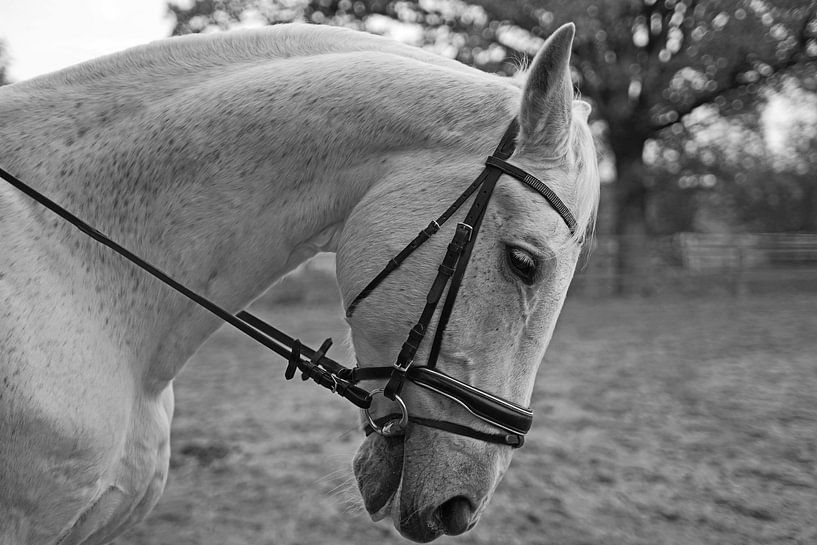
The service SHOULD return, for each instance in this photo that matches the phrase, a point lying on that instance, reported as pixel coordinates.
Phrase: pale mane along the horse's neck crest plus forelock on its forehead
(203, 52)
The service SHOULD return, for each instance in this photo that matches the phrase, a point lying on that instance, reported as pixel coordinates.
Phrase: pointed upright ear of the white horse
(547, 98)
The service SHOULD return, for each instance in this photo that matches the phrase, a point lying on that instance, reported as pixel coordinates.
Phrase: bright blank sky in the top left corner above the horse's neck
(45, 35)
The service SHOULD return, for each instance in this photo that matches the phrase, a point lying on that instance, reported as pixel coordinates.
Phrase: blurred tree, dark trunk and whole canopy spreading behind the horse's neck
(645, 64)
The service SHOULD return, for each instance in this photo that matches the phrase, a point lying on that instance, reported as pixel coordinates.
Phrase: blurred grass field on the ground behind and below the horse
(682, 422)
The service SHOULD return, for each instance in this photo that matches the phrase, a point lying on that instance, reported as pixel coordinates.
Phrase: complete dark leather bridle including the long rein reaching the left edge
(513, 420)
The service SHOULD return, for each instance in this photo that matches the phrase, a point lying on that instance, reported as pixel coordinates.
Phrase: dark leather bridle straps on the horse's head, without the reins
(514, 420)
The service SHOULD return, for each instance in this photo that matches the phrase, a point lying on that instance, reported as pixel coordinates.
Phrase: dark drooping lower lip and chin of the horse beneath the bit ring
(378, 468)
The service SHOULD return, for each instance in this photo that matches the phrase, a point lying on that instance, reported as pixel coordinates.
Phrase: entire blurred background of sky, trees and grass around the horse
(678, 399)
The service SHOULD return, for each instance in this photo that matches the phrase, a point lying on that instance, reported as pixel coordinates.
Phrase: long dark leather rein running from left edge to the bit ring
(313, 364)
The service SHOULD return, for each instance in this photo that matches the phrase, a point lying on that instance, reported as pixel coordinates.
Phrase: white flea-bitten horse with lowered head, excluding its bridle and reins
(227, 160)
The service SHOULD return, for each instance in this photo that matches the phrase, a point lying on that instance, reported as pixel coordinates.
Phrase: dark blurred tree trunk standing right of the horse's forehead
(633, 276)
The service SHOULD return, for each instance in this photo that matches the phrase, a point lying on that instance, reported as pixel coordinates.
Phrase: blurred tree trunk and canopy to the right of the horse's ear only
(647, 65)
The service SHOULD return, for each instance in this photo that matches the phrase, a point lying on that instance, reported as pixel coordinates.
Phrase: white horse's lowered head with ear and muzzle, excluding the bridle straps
(432, 482)
